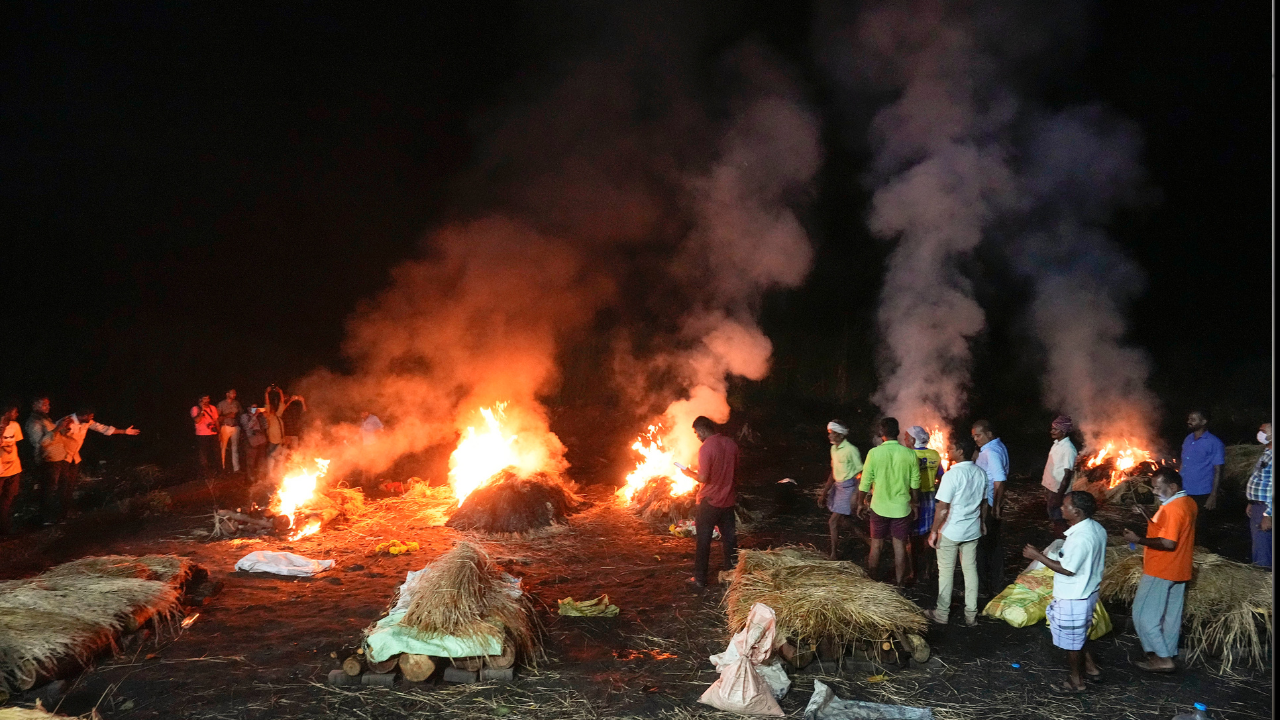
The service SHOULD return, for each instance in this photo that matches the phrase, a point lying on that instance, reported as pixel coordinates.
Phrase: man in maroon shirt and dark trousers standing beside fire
(717, 475)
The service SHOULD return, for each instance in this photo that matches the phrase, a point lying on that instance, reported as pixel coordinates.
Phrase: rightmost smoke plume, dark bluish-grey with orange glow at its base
(1081, 165)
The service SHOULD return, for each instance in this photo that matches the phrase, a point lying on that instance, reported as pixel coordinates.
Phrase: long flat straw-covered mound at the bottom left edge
(76, 610)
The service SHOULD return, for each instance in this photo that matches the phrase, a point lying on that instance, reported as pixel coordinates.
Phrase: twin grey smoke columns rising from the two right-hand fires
(961, 158)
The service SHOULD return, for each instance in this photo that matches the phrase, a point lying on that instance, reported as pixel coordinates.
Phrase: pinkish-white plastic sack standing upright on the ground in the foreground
(742, 689)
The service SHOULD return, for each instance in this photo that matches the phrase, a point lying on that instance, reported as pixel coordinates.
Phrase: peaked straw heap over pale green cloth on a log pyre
(467, 596)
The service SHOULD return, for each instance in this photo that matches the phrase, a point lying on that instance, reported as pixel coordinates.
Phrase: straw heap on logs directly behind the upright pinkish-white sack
(817, 599)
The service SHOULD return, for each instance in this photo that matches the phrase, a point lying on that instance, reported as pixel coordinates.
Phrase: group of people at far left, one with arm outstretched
(56, 458)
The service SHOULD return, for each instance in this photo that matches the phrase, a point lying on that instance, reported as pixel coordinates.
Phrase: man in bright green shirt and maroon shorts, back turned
(892, 476)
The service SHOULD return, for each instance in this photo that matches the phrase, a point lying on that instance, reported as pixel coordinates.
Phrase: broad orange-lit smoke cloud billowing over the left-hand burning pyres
(595, 198)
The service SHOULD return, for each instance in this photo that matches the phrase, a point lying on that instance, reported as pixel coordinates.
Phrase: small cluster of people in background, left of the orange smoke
(266, 431)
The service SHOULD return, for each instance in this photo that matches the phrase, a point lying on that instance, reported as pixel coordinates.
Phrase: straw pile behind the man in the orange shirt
(1227, 609)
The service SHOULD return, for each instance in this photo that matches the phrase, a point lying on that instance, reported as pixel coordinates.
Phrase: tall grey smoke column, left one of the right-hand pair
(941, 177)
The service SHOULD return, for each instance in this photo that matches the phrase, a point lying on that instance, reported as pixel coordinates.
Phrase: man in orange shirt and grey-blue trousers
(1167, 566)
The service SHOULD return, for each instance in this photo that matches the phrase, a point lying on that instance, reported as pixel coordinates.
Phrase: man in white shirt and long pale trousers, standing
(959, 521)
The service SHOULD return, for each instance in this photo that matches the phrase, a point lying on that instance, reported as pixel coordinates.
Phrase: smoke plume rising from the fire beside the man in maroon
(747, 240)
